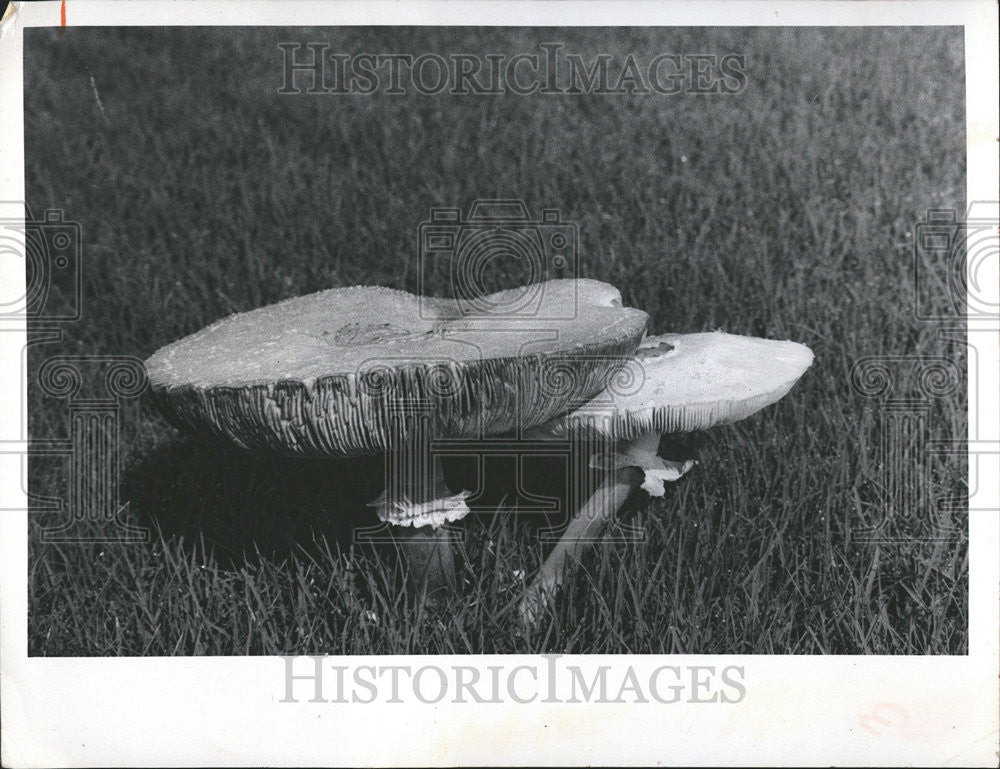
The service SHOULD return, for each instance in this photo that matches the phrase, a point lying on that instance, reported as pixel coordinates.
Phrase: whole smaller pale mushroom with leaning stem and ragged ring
(679, 383)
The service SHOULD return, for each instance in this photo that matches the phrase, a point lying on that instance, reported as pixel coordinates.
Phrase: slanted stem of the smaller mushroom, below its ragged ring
(581, 532)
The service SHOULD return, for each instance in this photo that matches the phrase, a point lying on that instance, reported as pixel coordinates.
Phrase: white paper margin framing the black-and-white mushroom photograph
(225, 711)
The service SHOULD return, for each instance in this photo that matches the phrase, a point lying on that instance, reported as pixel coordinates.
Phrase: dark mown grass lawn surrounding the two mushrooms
(785, 211)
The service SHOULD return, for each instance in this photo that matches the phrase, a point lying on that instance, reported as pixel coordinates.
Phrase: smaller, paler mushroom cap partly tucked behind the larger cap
(678, 383)
